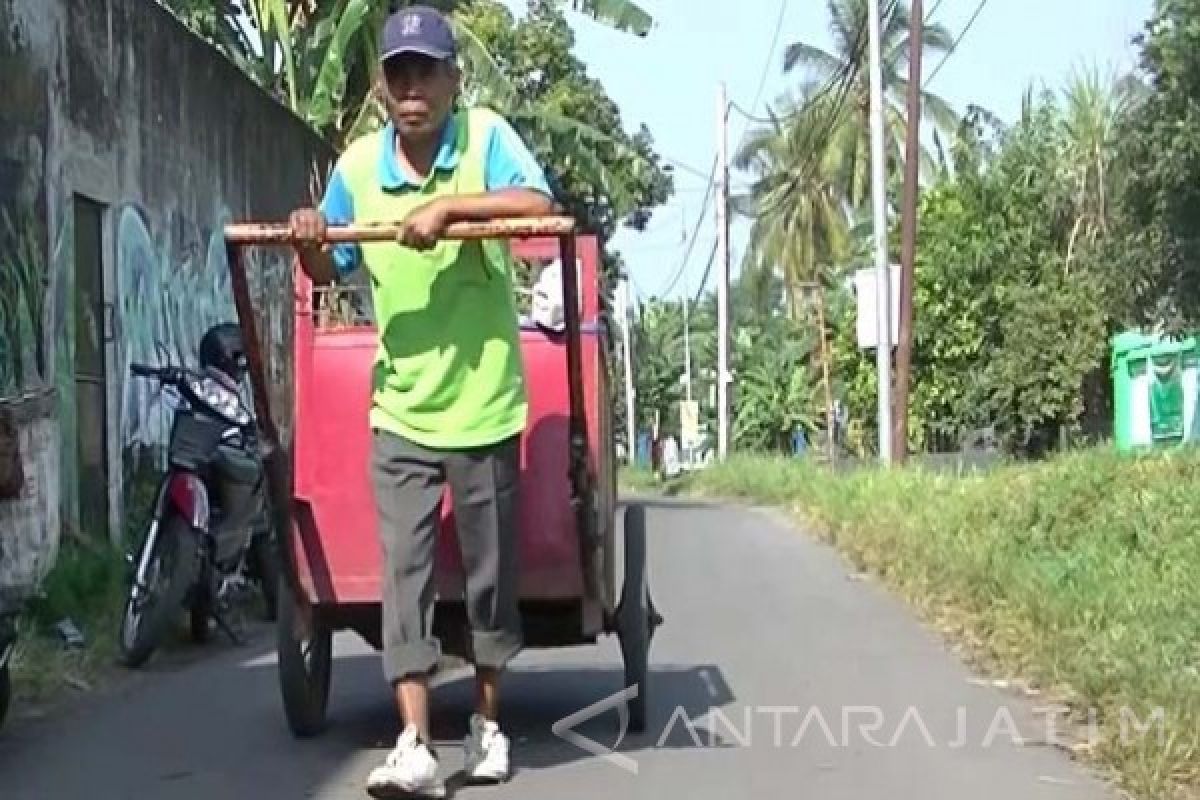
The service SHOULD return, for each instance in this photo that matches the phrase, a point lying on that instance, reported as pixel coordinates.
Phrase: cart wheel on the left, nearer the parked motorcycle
(305, 666)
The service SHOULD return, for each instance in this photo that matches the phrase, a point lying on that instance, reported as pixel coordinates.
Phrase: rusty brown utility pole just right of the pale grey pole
(909, 234)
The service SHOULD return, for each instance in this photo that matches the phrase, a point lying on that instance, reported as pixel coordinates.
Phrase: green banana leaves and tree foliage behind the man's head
(319, 58)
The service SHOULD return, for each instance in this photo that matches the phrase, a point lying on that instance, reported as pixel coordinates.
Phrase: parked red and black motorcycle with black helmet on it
(211, 532)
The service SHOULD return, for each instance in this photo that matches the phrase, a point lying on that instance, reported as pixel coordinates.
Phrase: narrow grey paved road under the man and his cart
(764, 631)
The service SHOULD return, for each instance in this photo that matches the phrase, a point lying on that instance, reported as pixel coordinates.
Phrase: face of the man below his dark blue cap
(419, 93)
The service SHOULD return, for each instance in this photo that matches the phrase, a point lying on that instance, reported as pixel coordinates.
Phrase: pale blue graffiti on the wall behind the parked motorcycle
(169, 298)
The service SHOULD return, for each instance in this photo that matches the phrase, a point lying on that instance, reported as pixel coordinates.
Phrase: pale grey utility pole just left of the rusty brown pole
(880, 204)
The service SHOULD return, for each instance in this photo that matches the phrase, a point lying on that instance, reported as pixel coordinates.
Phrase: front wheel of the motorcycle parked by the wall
(171, 573)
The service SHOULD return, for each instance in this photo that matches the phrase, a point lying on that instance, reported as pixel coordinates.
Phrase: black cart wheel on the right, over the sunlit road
(637, 617)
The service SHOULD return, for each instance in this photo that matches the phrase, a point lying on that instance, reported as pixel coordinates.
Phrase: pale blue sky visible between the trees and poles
(669, 82)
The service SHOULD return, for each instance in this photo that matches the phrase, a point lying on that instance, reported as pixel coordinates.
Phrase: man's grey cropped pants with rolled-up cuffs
(410, 482)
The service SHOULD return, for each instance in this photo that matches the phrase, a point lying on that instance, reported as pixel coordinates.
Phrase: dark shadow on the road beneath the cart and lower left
(218, 729)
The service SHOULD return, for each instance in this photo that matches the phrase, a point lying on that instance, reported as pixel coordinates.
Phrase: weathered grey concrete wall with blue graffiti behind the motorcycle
(115, 101)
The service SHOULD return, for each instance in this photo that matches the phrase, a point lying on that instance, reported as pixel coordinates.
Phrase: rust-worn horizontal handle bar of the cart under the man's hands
(253, 233)
